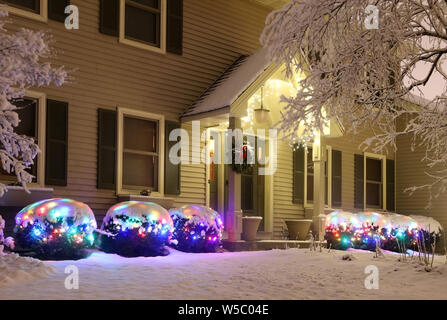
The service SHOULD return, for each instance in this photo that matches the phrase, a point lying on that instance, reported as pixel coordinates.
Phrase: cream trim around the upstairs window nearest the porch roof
(163, 25)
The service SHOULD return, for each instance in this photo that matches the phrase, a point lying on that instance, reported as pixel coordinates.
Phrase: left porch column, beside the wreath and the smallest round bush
(234, 214)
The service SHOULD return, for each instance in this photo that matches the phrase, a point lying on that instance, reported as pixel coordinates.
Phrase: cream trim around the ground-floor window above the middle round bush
(120, 143)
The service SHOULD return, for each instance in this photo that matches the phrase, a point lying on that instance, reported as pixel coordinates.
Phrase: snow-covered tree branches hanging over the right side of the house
(363, 76)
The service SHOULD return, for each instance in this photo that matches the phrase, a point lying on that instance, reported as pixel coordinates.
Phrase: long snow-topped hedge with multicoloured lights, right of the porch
(369, 230)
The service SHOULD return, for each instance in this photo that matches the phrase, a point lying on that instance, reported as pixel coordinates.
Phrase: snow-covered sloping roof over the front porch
(231, 84)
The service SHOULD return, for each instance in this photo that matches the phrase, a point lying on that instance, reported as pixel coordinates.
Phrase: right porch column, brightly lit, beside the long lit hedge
(319, 159)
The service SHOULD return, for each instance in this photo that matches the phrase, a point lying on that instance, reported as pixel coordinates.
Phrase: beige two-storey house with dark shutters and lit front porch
(144, 68)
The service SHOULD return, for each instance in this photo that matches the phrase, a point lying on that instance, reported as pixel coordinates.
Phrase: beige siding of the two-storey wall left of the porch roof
(109, 74)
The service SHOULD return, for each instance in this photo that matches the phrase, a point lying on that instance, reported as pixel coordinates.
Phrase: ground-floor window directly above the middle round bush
(140, 147)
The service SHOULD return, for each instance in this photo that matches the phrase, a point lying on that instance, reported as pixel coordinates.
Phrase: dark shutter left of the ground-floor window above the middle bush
(106, 169)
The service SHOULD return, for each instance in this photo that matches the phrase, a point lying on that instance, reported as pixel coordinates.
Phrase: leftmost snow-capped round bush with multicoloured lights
(55, 229)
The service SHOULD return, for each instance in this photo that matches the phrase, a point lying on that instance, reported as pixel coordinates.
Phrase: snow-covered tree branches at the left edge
(20, 69)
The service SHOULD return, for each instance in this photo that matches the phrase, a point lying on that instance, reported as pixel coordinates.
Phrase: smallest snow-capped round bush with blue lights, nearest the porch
(196, 228)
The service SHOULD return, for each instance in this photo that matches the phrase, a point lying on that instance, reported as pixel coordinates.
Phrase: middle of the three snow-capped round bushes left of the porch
(136, 228)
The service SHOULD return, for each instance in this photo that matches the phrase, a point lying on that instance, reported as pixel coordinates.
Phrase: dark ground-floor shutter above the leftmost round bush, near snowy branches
(56, 143)
